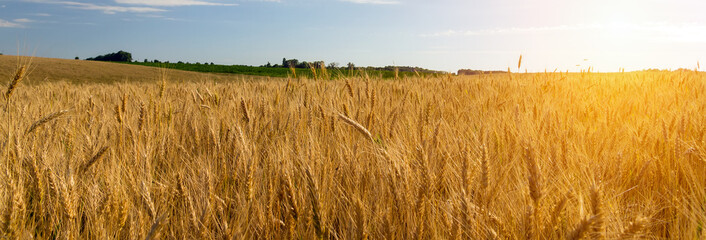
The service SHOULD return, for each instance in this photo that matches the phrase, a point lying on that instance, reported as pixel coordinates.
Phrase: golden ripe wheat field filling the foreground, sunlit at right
(506, 156)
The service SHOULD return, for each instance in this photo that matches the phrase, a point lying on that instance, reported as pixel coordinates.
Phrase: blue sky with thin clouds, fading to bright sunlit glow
(442, 35)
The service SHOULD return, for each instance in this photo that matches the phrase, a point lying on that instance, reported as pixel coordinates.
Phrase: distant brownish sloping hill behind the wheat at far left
(80, 71)
